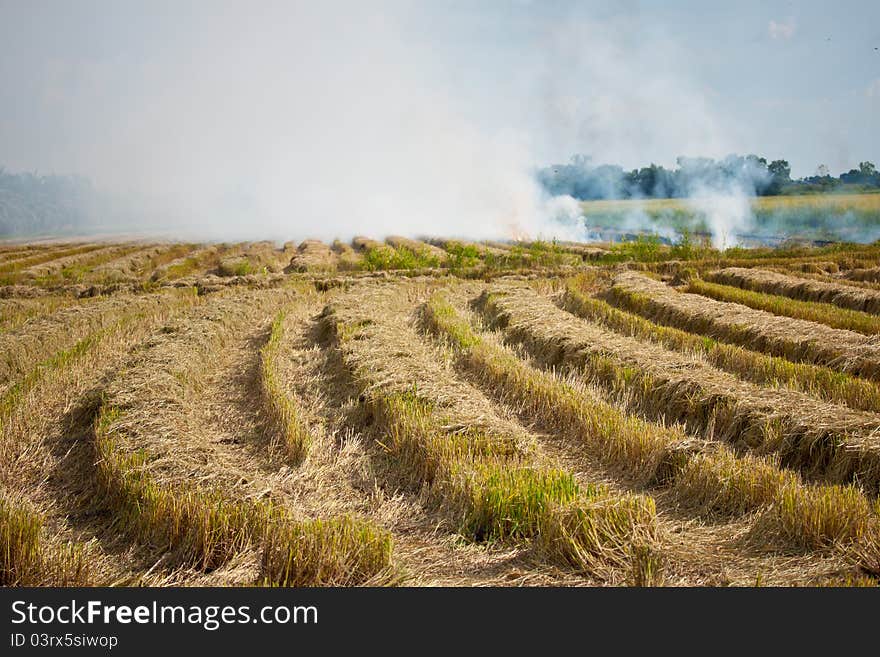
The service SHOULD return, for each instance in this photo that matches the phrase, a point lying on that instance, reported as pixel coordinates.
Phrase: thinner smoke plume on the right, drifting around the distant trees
(629, 97)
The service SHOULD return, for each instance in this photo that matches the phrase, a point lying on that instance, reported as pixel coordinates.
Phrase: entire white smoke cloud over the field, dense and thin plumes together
(294, 119)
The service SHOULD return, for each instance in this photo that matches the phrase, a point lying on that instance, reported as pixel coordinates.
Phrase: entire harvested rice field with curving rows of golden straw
(437, 412)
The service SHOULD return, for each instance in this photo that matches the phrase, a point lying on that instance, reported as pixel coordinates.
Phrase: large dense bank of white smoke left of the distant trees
(295, 120)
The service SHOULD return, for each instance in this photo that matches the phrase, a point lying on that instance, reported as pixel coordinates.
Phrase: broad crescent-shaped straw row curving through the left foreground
(186, 468)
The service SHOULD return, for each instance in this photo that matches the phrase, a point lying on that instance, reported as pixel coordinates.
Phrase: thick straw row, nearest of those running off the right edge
(819, 439)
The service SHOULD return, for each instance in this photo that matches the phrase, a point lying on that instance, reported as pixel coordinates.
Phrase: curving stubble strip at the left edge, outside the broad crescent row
(40, 444)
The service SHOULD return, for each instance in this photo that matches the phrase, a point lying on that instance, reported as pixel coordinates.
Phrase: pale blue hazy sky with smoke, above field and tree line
(291, 107)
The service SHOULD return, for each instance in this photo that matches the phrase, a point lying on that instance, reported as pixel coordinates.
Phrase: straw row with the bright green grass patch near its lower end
(480, 468)
